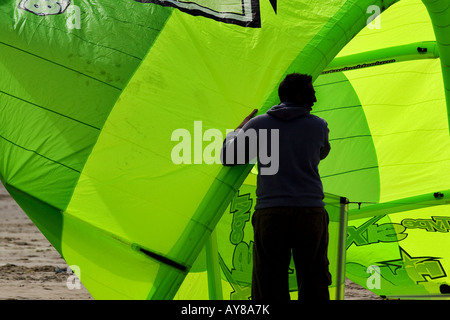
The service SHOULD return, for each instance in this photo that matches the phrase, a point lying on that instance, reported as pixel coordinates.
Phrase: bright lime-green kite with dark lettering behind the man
(95, 96)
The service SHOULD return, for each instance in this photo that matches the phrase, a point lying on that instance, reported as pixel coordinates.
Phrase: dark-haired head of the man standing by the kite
(297, 88)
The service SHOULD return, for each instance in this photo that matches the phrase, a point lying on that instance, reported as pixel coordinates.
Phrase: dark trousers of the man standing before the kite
(280, 231)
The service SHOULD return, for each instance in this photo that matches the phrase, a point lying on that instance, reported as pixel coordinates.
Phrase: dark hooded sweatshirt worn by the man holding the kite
(295, 152)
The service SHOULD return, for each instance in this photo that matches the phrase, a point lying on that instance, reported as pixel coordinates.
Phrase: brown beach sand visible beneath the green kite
(30, 268)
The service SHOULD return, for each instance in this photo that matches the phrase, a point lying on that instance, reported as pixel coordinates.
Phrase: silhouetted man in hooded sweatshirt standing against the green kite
(289, 213)
